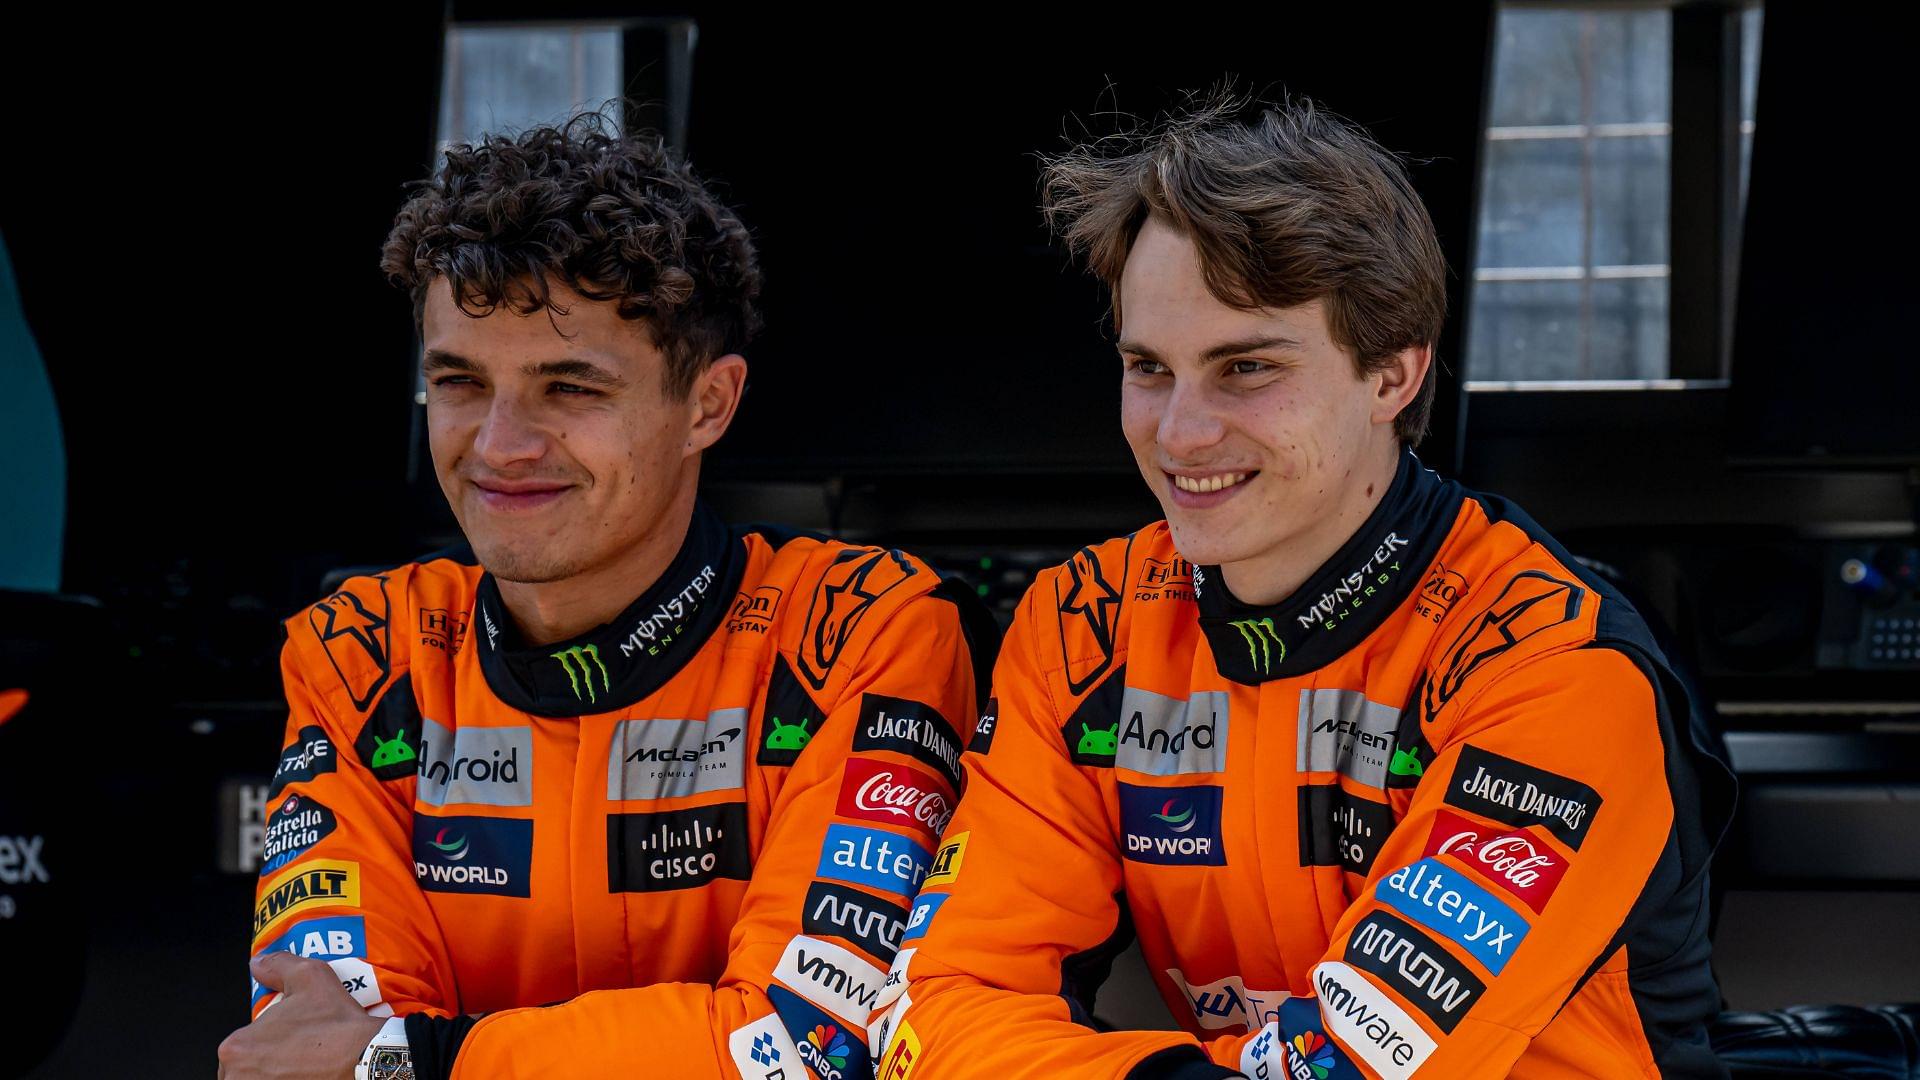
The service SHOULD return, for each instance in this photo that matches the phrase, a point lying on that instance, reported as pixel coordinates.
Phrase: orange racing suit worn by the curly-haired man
(692, 833)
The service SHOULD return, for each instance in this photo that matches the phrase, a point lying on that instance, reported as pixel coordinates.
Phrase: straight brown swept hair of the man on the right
(1285, 205)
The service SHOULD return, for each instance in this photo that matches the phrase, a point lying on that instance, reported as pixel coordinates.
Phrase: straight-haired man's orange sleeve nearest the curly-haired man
(988, 981)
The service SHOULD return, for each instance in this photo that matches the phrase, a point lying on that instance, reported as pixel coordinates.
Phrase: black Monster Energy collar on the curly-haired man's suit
(629, 658)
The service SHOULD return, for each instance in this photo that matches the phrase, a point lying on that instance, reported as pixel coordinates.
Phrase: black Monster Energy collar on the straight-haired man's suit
(1345, 601)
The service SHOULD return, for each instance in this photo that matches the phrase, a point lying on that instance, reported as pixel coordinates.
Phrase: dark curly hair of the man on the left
(613, 218)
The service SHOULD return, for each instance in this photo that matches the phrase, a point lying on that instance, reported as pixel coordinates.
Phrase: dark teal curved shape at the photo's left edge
(34, 458)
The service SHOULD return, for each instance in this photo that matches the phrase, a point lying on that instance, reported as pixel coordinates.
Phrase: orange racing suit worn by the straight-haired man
(1439, 812)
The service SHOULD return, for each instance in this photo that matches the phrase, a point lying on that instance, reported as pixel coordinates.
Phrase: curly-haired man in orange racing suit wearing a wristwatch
(617, 787)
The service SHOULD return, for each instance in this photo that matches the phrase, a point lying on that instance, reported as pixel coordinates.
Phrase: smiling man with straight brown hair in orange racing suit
(1381, 777)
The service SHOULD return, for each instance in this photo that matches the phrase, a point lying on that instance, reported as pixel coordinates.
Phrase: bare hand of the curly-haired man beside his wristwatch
(314, 1033)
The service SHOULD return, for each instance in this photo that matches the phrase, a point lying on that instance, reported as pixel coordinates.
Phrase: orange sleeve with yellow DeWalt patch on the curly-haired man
(337, 877)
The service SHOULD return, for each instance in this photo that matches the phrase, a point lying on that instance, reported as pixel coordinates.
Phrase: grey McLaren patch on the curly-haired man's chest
(663, 760)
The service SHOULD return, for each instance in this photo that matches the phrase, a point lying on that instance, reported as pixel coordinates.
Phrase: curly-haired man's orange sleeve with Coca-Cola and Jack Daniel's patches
(794, 996)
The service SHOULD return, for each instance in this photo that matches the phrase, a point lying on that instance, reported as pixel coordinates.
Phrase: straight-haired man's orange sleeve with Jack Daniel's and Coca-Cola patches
(1527, 847)
